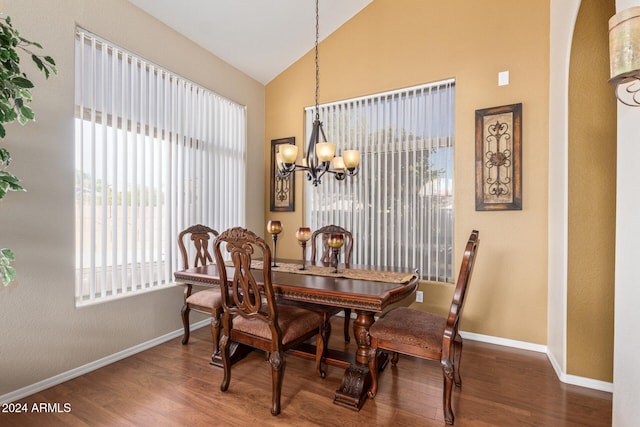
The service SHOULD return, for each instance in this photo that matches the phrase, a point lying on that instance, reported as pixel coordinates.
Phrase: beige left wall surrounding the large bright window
(42, 332)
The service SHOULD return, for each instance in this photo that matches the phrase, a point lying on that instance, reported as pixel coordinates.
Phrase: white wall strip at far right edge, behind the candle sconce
(626, 370)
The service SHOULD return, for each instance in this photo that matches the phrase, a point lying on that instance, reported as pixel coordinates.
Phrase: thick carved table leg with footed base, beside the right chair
(357, 379)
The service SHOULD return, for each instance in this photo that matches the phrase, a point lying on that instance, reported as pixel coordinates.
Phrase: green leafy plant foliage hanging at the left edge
(15, 96)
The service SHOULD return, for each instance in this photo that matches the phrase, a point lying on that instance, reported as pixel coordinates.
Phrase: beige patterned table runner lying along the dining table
(347, 273)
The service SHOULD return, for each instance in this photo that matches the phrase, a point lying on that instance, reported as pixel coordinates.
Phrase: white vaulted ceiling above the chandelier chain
(259, 37)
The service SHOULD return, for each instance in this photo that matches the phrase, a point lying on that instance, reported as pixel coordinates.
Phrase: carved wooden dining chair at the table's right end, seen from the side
(426, 335)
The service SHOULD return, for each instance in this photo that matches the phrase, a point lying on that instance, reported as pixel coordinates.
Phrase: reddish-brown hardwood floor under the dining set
(174, 385)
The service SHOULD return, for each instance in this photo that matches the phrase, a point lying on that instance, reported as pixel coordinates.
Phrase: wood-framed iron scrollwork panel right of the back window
(499, 158)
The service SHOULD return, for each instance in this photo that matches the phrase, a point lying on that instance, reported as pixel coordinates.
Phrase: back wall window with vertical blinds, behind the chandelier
(400, 206)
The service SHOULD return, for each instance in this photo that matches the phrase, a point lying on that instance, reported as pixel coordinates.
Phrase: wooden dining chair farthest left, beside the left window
(208, 300)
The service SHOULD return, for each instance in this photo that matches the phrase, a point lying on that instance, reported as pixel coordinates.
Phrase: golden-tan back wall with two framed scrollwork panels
(398, 43)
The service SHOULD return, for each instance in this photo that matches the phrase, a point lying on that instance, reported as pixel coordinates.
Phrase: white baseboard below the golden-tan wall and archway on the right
(562, 376)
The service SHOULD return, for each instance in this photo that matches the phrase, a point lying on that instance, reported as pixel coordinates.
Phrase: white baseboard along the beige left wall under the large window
(92, 366)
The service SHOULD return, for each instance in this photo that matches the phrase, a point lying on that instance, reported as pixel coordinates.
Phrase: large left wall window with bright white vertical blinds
(155, 153)
